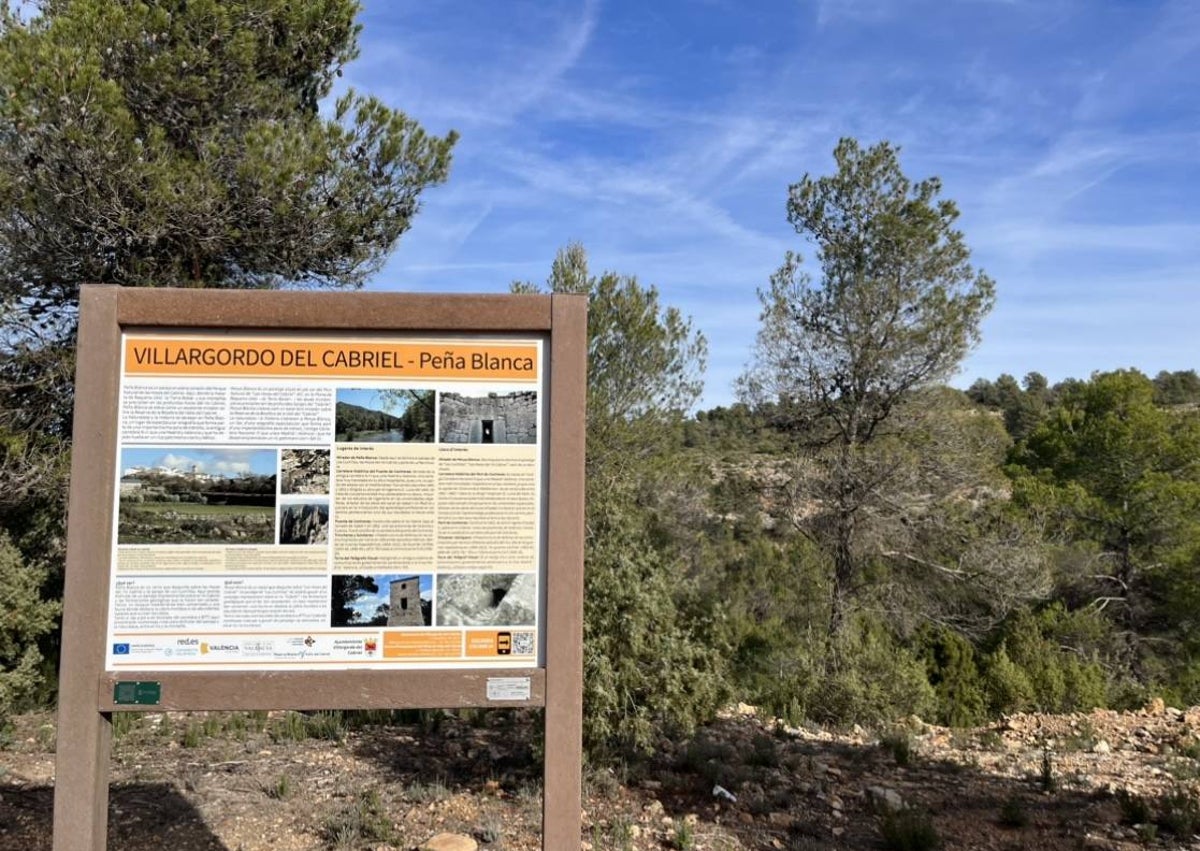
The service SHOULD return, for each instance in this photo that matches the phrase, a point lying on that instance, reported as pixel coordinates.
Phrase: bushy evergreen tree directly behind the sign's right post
(647, 669)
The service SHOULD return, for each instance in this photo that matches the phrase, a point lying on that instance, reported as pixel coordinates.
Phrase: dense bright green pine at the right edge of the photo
(1111, 469)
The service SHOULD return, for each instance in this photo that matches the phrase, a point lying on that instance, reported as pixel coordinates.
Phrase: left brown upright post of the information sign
(85, 734)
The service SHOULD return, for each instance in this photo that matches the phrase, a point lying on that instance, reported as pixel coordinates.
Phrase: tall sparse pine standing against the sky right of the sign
(896, 309)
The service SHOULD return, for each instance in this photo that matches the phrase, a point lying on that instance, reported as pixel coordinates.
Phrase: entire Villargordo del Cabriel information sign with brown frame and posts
(321, 501)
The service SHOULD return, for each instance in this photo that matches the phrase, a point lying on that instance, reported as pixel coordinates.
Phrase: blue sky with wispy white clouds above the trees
(664, 137)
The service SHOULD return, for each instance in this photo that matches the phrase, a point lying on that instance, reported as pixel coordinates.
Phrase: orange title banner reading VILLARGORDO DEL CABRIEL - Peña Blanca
(331, 359)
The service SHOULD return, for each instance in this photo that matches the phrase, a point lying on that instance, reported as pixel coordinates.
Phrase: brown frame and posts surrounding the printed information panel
(87, 688)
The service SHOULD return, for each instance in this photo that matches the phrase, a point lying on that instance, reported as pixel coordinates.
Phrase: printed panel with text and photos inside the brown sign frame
(301, 504)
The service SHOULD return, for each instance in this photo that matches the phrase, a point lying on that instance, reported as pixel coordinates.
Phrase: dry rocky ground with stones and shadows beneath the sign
(249, 782)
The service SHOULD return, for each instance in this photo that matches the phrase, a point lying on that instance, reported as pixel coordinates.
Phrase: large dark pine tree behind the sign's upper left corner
(175, 143)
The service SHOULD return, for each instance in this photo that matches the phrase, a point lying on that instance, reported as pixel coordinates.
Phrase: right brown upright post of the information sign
(562, 794)
